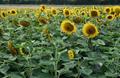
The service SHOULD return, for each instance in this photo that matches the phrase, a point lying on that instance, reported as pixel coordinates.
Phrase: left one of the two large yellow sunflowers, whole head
(68, 27)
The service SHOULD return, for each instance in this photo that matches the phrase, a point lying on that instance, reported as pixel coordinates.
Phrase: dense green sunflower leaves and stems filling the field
(45, 54)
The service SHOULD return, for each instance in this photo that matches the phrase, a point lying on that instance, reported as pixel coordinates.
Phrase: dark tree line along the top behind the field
(59, 2)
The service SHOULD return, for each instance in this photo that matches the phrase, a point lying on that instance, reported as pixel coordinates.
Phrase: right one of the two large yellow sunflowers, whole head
(90, 30)
